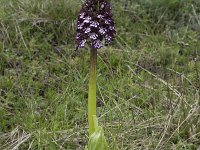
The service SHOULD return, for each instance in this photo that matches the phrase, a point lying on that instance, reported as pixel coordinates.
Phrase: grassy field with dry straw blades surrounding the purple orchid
(148, 79)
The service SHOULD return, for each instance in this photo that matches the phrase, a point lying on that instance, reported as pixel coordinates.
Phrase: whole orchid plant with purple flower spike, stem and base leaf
(95, 27)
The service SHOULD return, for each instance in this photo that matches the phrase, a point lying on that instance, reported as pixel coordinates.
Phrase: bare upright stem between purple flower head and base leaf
(92, 91)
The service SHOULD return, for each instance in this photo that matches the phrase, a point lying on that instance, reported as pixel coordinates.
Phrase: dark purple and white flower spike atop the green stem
(95, 24)
